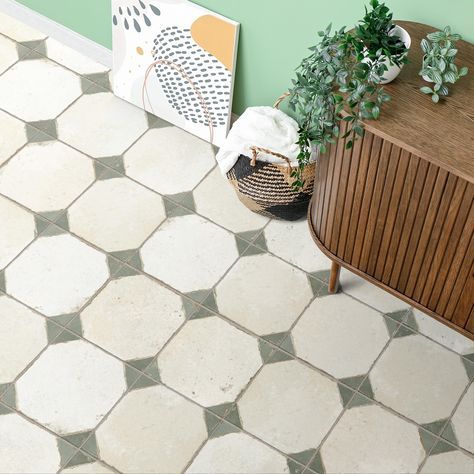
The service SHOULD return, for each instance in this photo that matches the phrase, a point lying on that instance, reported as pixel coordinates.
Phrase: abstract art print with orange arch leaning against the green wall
(176, 60)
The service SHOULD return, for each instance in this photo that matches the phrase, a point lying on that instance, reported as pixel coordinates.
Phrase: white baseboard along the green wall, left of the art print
(57, 31)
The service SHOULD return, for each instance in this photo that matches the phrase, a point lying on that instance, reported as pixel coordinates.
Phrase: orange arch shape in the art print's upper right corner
(217, 37)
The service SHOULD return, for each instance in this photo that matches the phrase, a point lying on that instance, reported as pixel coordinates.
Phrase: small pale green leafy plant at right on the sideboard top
(439, 62)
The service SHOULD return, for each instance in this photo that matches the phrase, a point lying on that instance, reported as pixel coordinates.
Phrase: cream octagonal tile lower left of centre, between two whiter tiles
(132, 317)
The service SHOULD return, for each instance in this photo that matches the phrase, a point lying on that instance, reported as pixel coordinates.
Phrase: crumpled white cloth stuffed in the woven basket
(265, 127)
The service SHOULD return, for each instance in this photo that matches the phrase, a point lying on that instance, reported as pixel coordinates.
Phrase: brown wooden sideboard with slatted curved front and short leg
(398, 208)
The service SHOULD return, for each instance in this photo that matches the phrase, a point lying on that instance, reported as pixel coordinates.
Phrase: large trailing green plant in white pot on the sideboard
(341, 81)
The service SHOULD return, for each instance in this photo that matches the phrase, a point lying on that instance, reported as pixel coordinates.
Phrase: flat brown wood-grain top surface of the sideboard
(441, 133)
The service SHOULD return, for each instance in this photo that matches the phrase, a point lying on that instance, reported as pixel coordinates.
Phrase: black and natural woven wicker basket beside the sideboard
(266, 188)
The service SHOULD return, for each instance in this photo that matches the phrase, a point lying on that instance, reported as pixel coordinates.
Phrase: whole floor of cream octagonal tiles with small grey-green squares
(151, 324)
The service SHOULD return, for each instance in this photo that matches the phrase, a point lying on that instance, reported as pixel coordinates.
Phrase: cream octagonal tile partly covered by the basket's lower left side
(216, 199)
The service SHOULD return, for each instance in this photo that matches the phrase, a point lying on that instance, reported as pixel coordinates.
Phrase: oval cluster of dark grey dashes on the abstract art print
(209, 75)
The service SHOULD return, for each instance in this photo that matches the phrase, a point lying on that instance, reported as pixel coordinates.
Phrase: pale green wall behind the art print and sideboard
(275, 34)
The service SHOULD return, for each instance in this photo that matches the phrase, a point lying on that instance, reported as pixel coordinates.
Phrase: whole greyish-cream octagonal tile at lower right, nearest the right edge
(419, 378)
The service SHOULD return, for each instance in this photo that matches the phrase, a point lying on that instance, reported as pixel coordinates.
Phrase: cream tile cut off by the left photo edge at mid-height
(16, 232)
